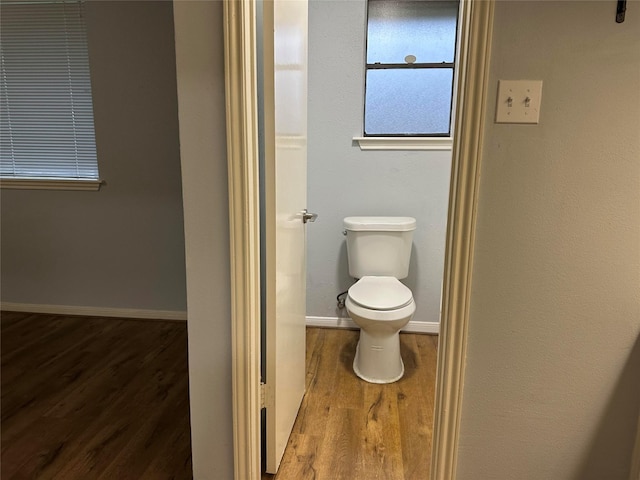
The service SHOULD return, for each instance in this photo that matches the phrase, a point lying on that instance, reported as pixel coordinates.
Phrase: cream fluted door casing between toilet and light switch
(477, 28)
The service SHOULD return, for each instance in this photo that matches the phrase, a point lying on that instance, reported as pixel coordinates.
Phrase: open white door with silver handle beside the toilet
(285, 144)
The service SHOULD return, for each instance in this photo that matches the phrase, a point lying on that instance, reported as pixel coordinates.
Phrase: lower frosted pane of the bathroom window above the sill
(408, 101)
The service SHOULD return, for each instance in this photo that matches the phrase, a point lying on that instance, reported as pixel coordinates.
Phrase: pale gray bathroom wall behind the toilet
(344, 181)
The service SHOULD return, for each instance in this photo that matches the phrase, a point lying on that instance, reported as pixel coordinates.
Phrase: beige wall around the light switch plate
(552, 383)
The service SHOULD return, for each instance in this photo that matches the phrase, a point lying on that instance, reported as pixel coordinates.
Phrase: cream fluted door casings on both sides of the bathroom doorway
(242, 158)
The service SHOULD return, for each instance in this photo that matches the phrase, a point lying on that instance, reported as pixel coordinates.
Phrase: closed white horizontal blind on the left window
(46, 119)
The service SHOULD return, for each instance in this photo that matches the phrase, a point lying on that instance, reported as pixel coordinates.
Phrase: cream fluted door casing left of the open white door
(239, 19)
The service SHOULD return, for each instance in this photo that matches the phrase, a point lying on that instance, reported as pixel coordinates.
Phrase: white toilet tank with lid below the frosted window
(379, 246)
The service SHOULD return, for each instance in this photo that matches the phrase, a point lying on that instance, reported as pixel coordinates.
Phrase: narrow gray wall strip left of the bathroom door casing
(200, 73)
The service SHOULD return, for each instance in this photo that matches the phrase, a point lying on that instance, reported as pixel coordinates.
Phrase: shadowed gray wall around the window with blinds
(121, 247)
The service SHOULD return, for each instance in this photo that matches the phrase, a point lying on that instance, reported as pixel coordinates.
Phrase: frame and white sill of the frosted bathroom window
(410, 141)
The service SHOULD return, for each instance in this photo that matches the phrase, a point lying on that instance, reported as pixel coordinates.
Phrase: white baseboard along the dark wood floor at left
(95, 311)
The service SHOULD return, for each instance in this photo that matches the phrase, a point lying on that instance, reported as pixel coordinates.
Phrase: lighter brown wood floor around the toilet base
(353, 430)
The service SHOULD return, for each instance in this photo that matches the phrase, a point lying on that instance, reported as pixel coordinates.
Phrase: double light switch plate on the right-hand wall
(519, 101)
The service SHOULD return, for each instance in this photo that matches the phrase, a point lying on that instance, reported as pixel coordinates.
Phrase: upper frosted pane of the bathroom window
(425, 29)
